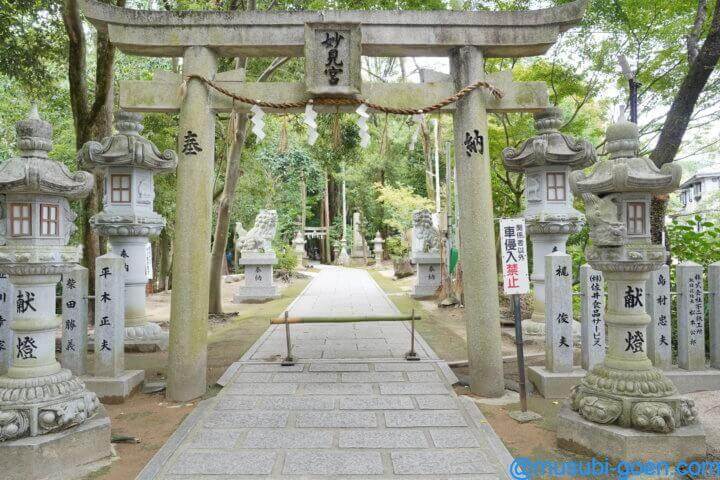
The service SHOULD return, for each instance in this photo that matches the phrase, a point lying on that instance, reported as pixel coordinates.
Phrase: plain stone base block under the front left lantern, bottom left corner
(71, 453)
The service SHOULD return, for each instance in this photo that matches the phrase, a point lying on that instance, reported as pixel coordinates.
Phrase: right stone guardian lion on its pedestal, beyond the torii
(427, 257)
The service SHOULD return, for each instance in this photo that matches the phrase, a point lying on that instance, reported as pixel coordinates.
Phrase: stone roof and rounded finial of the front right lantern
(623, 170)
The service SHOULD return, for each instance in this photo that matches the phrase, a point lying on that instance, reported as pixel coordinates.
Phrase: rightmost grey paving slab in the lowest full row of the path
(443, 462)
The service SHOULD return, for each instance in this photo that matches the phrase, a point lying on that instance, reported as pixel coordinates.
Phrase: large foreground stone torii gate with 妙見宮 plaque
(201, 37)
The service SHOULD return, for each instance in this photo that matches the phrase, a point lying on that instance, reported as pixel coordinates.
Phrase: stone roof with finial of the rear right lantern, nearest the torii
(549, 146)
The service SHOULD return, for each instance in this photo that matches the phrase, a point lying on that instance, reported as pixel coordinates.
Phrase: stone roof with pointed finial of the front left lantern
(33, 172)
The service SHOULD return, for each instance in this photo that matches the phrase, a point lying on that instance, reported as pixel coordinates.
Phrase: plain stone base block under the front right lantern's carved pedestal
(579, 435)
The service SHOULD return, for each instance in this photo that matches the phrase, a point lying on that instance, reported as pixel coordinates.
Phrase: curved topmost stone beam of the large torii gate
(384, 33)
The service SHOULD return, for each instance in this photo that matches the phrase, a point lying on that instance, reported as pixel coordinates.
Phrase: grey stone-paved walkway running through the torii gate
(350, 407)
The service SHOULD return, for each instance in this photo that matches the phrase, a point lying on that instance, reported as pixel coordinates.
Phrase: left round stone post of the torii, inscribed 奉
(187, 354)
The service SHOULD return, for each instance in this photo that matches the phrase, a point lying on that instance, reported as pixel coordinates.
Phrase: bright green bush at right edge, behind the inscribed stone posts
(687, 243)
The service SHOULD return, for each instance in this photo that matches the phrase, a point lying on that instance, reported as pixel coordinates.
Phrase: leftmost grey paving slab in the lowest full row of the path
(224, 463)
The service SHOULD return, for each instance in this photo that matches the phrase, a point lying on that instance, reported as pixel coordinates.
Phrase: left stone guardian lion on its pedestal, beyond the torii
(258, 258)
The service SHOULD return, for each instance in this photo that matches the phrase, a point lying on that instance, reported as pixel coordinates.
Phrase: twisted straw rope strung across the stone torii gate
(349, 101)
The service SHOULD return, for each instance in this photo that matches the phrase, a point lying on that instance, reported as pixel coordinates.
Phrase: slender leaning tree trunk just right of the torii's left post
(232, 175)
